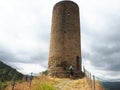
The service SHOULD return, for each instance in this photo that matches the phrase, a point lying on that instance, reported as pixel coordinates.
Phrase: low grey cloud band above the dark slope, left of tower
(38, 57)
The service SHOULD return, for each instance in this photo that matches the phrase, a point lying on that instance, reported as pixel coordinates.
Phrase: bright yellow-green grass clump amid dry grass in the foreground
(45, 86)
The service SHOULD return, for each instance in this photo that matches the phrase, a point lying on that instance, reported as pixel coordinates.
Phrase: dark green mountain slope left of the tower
(7, 73)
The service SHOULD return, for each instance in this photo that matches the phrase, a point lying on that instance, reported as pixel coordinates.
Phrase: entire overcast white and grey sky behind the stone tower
(25, 27)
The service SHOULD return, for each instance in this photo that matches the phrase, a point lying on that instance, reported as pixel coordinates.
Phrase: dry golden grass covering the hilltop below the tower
(55, 84)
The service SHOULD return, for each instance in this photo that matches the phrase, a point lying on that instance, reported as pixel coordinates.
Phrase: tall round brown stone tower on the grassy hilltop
(65, 44)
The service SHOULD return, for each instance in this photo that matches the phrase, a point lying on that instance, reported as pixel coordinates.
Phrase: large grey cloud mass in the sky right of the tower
(105, 47)
